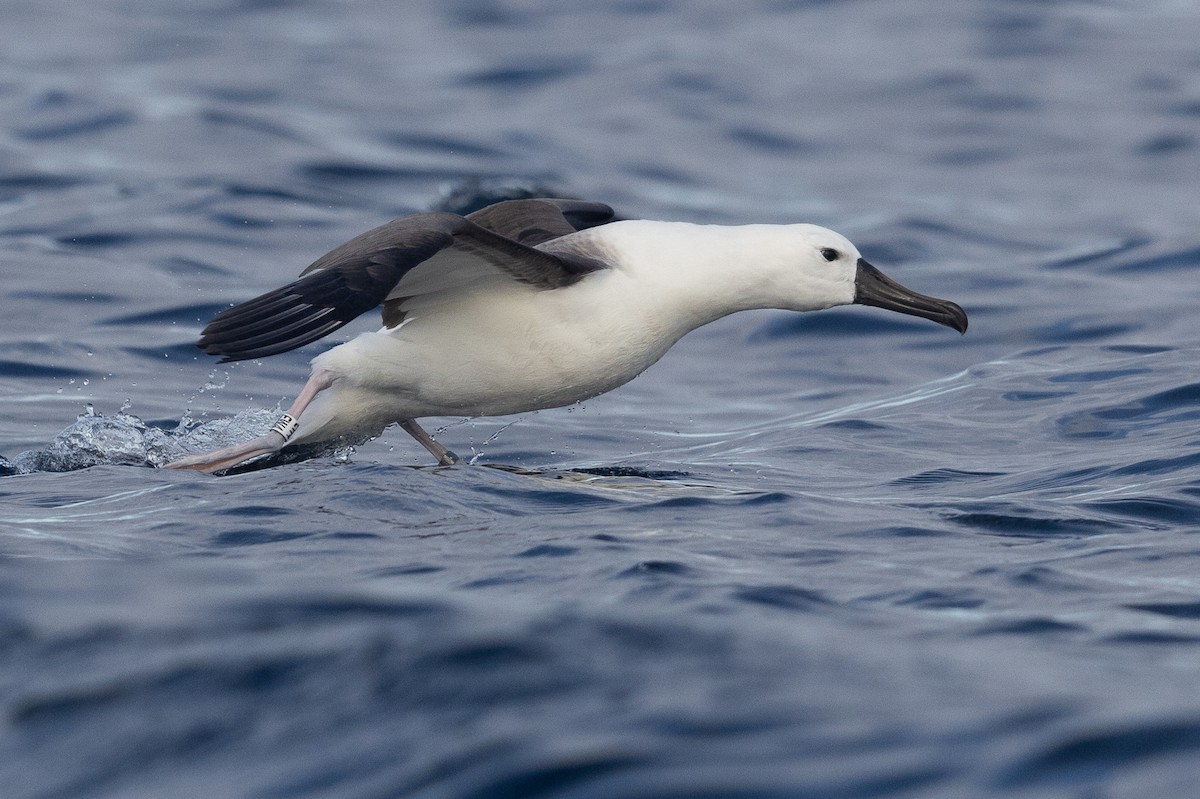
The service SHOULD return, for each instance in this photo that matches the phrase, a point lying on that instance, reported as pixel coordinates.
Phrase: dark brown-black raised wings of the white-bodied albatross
(371, 268)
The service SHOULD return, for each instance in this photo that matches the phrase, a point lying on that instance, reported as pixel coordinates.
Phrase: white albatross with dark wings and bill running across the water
(520, 307)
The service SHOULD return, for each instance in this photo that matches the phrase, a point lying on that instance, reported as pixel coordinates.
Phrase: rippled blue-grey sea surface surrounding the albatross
(841, 555)
